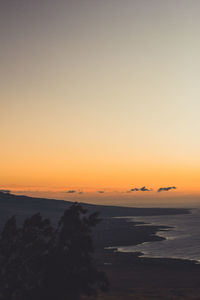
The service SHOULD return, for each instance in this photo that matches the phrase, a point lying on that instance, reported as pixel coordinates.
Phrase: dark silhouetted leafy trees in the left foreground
(39, 261)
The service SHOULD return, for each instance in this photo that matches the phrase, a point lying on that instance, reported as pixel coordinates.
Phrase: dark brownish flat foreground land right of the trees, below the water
(139, 278)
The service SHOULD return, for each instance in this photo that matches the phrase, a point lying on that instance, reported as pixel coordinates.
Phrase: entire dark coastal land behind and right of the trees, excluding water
(131, 276)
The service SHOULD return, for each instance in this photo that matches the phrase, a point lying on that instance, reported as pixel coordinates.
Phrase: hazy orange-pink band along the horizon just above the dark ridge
(119, 198)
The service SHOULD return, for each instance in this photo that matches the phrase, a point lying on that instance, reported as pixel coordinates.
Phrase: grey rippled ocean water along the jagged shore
(182, 241)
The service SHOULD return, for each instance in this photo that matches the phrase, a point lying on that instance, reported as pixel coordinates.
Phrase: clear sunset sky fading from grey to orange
(100, 96)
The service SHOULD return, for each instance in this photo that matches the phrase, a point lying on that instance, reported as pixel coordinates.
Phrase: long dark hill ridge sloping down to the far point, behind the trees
(23, 206)
